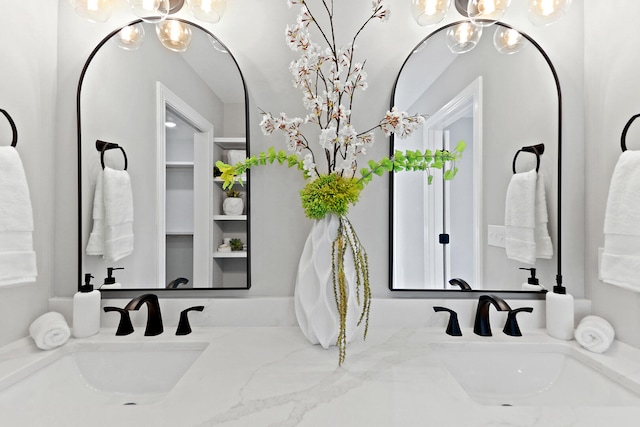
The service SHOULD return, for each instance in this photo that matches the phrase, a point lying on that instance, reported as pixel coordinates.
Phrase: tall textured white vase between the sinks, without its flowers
(315, 302)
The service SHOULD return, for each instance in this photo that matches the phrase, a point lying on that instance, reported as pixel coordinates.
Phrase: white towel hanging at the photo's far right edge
(620, 262)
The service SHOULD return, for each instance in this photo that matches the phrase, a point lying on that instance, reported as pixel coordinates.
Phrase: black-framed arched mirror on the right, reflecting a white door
(499, 100)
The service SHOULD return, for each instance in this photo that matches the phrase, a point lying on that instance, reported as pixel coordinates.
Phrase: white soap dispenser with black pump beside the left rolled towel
(86, 310)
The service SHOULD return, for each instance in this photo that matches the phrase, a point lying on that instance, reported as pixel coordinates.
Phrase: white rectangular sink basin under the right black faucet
(528, 374)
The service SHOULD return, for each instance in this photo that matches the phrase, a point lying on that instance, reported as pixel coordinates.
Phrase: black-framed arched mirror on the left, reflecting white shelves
(162, 224)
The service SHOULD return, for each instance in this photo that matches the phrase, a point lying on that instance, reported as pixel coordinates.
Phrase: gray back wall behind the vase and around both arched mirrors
(275, 189)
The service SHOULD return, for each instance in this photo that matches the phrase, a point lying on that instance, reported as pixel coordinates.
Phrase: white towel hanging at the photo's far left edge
(17, 257)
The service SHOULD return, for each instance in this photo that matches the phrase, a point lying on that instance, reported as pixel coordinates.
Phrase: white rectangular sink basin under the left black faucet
(111, 373)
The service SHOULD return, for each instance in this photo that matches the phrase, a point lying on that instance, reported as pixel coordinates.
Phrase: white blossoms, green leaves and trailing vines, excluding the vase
(329, 77)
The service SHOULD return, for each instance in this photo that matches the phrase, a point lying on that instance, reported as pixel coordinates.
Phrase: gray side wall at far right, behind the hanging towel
(611, 98)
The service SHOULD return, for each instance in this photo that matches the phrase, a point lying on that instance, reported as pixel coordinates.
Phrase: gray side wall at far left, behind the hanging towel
(28, 93)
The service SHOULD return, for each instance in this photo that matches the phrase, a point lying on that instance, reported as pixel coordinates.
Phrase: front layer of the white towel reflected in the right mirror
(519, 218)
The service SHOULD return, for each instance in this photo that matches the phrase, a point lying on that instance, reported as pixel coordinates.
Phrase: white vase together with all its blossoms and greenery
(332, 293)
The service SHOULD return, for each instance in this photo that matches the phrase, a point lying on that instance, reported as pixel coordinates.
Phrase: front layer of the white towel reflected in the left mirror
(118, 214)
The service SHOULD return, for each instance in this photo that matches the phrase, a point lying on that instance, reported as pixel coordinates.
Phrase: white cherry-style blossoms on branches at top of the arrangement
(329, 76)
